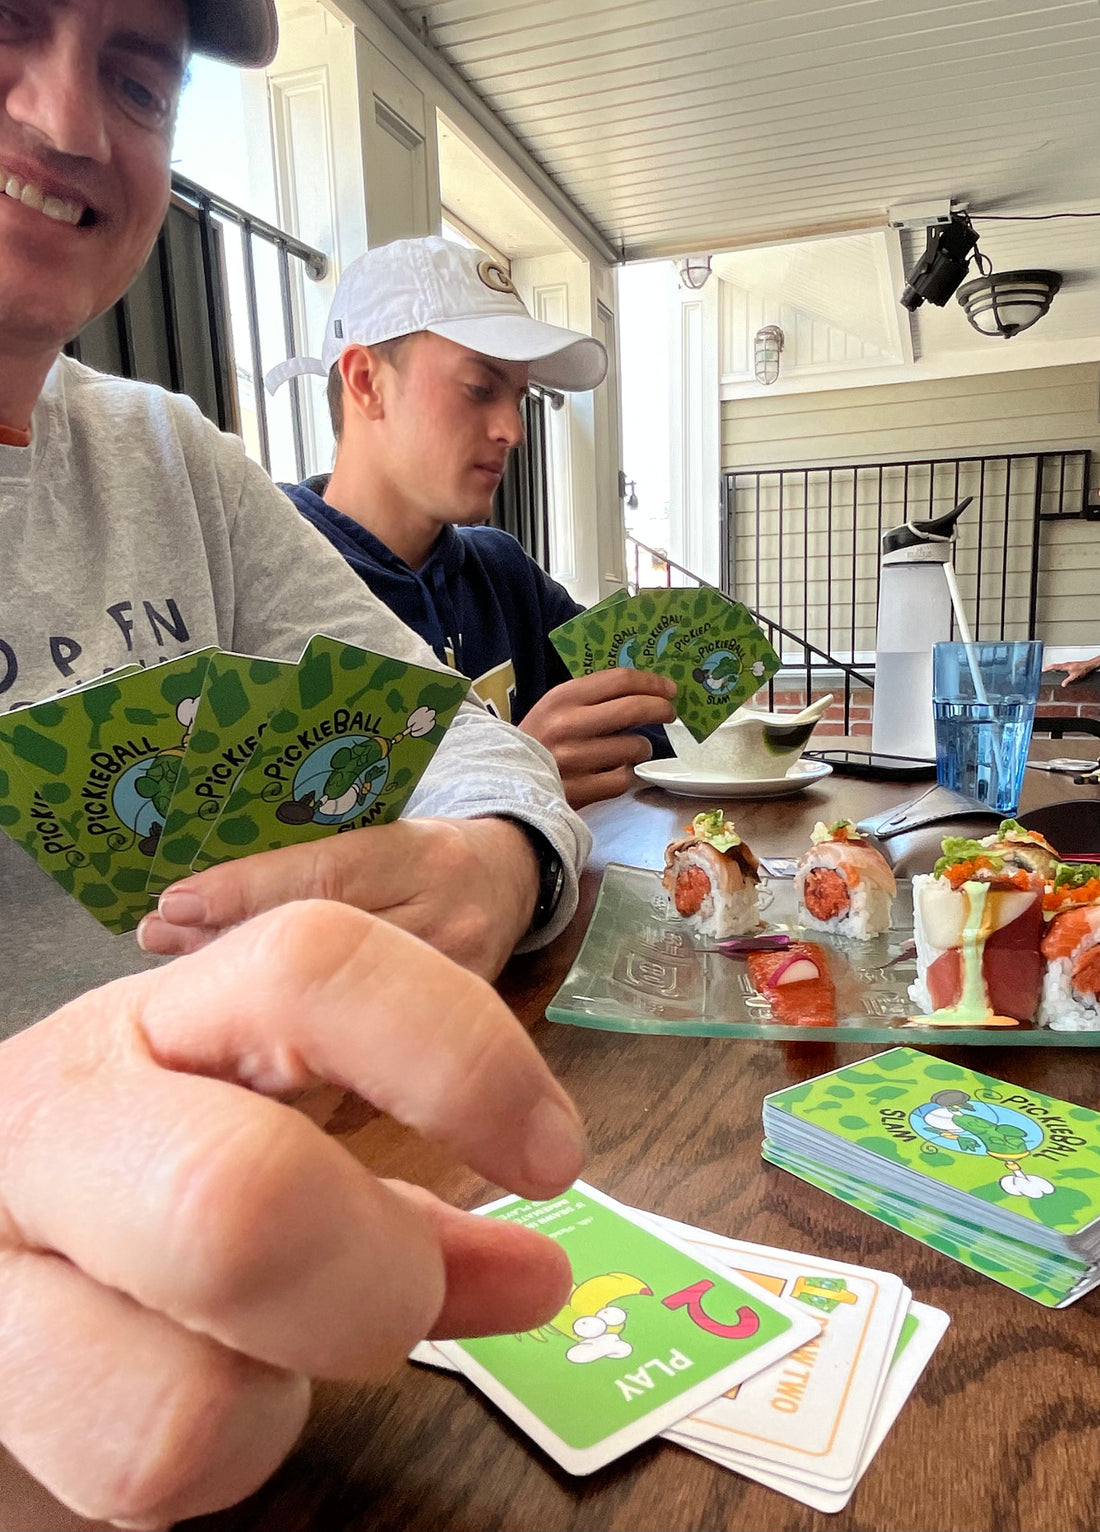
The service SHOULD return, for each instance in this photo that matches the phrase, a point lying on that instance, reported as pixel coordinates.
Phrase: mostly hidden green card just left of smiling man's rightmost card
(238, 699)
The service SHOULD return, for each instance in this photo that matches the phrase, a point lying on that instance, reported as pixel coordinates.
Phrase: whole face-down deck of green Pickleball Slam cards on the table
(1001, 1179)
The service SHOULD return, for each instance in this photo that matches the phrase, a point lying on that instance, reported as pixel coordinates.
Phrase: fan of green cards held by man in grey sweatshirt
(126, 785)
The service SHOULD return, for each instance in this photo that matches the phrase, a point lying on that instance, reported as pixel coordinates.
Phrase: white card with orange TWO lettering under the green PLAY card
(810, 1413)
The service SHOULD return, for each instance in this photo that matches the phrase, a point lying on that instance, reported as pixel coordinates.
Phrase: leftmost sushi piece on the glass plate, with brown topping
(712, 877)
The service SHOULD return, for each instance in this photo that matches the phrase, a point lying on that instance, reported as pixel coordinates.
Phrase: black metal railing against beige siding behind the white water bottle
(805, 543)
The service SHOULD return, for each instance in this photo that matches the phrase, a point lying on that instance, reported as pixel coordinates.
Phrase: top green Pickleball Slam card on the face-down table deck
(1010, 1148)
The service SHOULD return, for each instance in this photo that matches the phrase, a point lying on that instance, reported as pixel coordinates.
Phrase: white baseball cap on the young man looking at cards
(459, 293)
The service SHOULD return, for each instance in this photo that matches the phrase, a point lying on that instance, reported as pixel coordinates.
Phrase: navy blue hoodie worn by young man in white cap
(480, 601)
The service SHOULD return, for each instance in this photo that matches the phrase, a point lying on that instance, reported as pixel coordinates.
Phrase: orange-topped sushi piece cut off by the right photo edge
(1072, 948)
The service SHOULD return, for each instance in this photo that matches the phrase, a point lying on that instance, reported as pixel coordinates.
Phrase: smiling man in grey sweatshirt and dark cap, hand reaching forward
(180, 1252)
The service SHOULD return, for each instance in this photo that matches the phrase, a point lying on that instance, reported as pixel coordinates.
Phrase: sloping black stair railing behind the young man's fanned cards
(814, 670)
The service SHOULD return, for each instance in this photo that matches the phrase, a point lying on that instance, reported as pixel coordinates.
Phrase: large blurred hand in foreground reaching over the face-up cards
(180, 1254)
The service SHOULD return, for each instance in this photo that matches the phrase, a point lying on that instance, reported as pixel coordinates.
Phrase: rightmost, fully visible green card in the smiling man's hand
(344, 748)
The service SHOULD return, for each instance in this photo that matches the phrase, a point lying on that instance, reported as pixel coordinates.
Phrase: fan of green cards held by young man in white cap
(704, 641)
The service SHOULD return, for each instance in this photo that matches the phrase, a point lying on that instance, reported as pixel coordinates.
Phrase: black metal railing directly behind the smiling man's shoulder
(177, 322)
